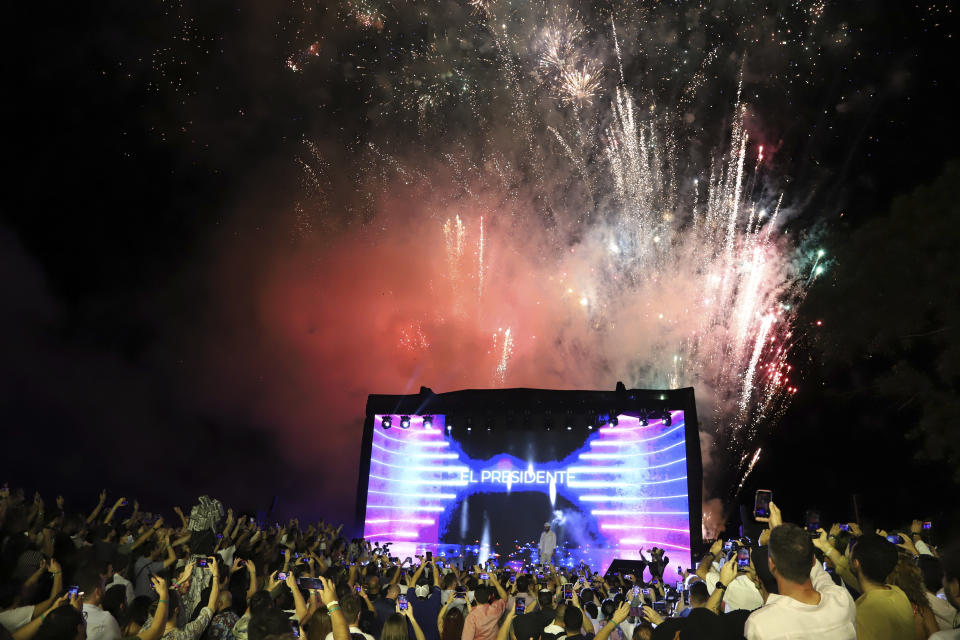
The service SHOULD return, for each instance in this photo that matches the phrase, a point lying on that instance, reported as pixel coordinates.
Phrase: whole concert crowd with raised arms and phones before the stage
(119, 572)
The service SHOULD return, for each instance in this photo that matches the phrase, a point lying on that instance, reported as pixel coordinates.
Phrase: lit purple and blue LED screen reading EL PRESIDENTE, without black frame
(607, 492)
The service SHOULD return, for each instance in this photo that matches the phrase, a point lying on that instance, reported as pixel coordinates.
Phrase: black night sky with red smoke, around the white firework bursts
(213, 227)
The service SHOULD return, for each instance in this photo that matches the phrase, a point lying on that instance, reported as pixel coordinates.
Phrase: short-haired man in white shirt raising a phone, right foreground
(809, 604)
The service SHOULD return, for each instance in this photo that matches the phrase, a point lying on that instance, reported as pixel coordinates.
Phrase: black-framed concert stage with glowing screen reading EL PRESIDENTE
(474, 475)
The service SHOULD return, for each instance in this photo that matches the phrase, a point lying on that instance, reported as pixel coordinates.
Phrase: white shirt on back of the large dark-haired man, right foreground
(834, 618)
